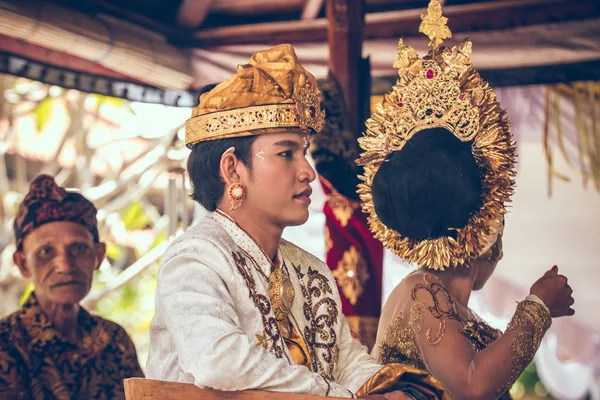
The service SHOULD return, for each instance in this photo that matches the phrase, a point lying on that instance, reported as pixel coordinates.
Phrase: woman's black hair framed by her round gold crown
(431, 186)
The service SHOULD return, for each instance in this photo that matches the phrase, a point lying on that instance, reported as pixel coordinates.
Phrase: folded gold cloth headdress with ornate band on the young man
(272, 91)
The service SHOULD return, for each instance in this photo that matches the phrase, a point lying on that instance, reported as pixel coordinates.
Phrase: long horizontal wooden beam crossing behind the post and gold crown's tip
(492, 15)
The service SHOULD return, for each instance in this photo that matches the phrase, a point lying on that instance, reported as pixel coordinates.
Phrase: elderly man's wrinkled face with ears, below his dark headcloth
(60, 259)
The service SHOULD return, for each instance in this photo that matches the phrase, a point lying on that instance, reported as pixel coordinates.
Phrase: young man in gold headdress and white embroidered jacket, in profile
(237, 307)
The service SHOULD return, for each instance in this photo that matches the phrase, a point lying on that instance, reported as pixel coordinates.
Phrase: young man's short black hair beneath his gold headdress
(203, 167)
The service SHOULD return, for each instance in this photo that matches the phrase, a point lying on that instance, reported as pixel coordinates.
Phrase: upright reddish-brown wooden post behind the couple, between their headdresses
(346, 21)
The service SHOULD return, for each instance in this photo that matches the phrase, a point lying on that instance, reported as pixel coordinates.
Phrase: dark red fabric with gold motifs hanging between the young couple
(355, 233)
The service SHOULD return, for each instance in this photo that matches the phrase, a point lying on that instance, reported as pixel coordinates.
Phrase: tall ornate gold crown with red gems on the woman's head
(441, 90)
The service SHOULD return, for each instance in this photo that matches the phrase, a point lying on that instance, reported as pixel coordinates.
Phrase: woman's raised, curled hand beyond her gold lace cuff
(555, 292)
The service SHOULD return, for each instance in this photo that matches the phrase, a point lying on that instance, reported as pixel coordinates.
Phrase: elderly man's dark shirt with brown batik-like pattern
(36, 362)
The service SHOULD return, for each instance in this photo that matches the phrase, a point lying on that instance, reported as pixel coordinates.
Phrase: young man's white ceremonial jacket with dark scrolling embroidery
(214, 326)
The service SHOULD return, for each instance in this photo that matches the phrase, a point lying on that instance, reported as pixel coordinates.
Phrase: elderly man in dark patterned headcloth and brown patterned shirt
(52, 347)
